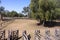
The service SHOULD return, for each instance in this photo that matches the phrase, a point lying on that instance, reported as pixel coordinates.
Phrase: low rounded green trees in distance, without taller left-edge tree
(12, 14)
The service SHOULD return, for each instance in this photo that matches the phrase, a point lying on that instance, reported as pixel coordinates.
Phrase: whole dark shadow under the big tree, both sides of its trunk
(49, 23)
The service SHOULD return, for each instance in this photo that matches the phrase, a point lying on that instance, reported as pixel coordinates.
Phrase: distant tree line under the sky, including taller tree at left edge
(13, 13)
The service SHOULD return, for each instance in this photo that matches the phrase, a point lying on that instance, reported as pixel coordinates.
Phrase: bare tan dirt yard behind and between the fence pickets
(29, 25)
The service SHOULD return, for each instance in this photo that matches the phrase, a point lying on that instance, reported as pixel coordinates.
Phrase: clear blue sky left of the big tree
(16, 5)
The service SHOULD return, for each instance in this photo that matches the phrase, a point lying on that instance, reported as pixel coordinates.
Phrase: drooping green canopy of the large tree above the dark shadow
(43, 9)
